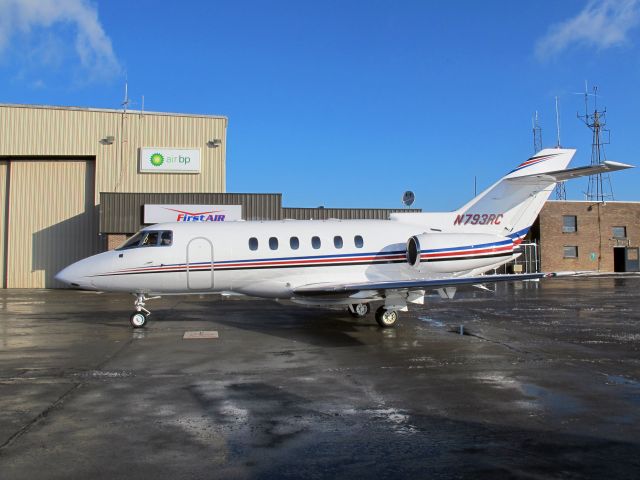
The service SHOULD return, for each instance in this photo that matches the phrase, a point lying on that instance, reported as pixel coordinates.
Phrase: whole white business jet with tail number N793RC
(337, 262)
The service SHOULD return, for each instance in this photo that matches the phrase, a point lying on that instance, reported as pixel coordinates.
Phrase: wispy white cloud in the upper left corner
(22, 23)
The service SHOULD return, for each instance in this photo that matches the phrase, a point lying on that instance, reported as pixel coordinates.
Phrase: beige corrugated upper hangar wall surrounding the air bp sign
(32, 131)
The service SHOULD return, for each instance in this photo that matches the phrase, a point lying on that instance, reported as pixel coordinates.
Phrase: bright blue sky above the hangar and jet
(346, 103)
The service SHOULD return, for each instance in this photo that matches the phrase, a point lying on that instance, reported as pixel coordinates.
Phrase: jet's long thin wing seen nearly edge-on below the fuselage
(352, 288)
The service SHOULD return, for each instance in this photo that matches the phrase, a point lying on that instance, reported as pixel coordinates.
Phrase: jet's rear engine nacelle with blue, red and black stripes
(452, 252)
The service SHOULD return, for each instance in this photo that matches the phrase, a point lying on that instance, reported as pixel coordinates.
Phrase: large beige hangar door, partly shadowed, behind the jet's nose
(50, 219)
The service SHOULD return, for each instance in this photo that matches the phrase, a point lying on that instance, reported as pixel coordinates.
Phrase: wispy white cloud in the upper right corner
(601, 24)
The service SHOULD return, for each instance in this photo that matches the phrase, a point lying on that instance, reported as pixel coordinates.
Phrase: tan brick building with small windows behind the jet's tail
(586, 235)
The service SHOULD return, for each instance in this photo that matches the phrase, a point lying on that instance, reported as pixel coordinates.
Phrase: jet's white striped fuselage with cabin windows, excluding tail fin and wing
(272, 258)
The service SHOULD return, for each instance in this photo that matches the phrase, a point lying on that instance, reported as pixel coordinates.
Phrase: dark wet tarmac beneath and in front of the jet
(545, 383)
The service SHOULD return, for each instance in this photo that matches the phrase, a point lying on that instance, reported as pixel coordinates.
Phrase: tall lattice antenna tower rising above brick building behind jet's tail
(599, 189)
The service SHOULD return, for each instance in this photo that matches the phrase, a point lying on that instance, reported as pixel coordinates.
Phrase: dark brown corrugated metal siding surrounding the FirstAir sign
(123, 212)
